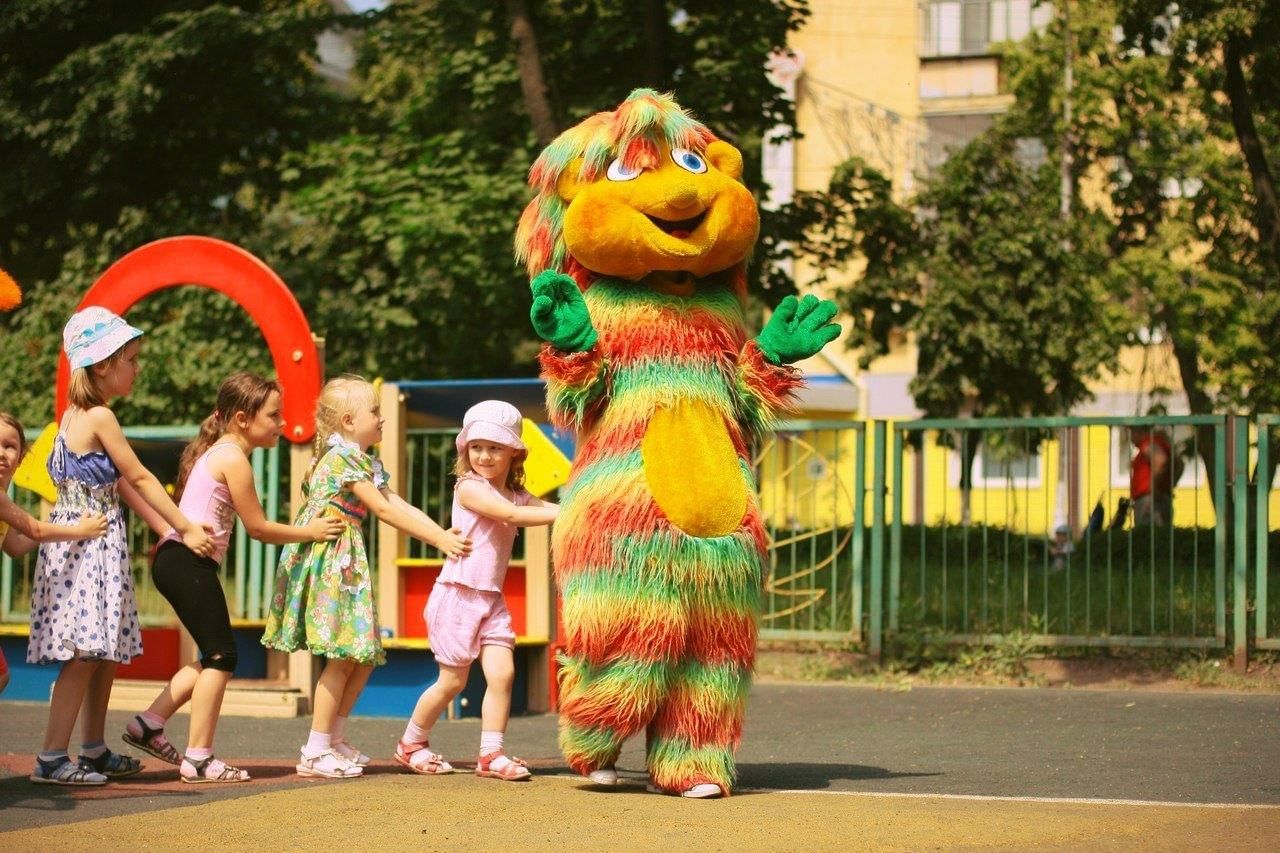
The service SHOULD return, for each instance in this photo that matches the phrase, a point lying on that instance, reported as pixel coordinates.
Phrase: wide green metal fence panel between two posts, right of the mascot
(998, 540)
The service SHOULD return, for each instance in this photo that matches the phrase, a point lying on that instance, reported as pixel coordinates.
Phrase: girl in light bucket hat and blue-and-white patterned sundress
(84, 613)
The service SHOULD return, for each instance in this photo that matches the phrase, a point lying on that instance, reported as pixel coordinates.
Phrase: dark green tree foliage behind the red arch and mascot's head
(390, 209)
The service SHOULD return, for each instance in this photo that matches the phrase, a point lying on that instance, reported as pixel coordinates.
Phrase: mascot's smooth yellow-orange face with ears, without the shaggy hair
(688, 213)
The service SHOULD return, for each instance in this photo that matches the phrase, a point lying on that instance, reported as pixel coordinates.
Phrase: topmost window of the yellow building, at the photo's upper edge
(970, 28)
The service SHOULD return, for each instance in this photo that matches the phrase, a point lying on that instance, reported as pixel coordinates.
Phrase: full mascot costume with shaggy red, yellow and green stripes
(638, 241)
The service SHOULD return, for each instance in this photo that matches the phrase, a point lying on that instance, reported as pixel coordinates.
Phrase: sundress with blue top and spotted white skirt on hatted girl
(83, 601)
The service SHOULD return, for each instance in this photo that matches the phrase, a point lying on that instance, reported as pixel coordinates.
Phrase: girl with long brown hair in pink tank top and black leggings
(216, 483)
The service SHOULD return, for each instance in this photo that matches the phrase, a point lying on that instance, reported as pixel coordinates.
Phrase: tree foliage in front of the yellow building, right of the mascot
(1173, 144)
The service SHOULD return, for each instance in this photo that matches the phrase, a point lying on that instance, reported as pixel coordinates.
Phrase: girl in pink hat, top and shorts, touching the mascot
(467, 615)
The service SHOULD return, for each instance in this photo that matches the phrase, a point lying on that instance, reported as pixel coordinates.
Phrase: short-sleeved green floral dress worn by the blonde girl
(324, 595)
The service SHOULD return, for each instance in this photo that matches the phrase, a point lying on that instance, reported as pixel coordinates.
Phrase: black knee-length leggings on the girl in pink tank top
(191, 585)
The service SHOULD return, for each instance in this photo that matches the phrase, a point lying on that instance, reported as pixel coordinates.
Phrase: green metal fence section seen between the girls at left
(248, 574)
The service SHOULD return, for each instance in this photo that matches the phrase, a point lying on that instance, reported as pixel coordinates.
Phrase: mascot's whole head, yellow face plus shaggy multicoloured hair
(643, 189)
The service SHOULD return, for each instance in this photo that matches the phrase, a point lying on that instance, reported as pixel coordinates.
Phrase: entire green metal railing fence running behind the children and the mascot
(947, 527)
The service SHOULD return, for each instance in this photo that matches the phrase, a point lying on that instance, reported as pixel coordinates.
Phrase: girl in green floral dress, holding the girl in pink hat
(324, 596)
